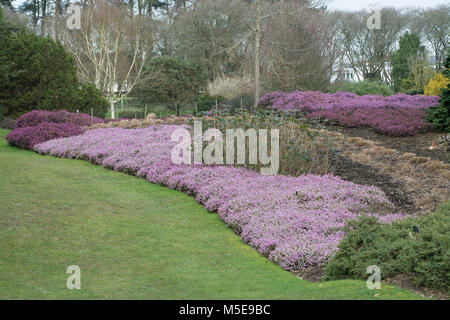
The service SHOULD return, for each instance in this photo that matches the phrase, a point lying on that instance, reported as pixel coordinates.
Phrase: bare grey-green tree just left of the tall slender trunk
(210, 34)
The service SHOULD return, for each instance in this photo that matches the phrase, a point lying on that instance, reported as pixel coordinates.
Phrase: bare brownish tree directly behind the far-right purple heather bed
(299, 50)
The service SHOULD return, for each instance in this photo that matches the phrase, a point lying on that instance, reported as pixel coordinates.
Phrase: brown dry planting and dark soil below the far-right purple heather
(413, 183)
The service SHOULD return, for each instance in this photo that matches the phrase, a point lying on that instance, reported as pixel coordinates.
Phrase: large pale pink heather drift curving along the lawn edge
(295, 221)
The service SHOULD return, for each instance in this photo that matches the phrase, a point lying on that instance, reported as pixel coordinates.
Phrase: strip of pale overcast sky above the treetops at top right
(353, 5)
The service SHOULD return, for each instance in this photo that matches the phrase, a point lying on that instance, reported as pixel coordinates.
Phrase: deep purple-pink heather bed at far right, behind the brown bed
(396, 115)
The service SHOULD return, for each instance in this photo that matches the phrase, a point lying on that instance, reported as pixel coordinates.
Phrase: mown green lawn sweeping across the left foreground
(131, 239)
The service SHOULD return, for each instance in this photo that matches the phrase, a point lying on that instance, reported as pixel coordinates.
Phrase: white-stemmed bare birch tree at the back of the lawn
(110, 50)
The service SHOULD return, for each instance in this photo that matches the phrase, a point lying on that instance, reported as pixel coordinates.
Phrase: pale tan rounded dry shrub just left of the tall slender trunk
(231, 87)
